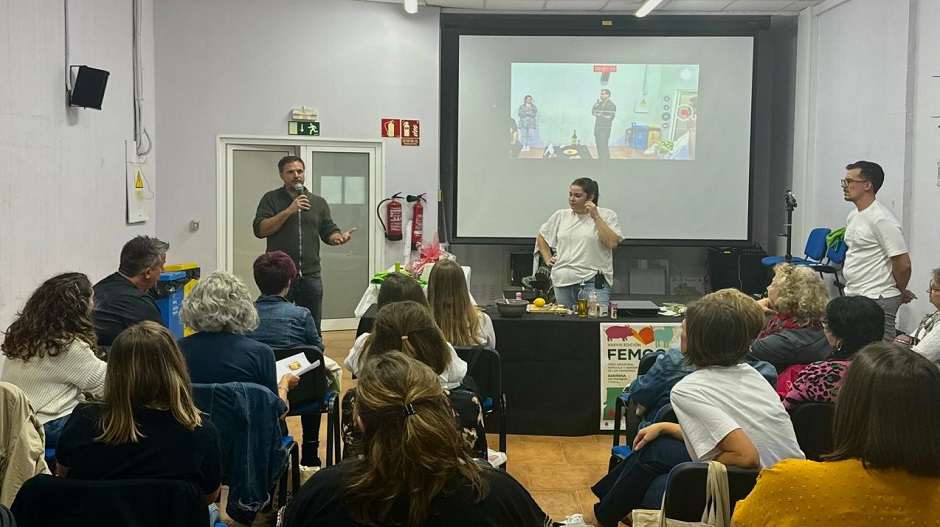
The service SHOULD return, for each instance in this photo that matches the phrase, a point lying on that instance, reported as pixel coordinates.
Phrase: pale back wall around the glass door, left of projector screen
(239, 66)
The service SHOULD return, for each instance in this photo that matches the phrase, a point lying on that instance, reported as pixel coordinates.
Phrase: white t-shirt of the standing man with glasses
(873, 237)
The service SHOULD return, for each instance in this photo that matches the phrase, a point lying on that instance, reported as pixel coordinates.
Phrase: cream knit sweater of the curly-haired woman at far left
(54, 385)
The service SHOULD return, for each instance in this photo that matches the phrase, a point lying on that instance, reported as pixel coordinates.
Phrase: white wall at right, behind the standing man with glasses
(865, 91)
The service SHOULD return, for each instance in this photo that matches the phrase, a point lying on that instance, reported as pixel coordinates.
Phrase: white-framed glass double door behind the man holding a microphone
(345, 173)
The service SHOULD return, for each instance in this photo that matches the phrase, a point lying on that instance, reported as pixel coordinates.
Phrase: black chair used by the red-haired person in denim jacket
(312, 395)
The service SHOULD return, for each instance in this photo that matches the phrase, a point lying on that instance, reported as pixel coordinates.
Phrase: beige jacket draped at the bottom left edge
(21, 441)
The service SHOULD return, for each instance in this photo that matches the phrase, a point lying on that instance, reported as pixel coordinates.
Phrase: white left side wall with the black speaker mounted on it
(62, 202)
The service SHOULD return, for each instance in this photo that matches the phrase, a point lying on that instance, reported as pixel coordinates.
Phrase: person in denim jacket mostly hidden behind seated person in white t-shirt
(651, 391)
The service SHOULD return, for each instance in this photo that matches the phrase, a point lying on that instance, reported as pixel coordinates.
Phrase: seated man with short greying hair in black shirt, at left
(121, 299)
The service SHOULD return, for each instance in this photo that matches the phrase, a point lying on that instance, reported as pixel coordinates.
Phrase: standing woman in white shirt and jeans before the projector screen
(584, 237)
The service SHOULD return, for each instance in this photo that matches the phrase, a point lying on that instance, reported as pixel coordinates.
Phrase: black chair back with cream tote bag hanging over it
(685, 492)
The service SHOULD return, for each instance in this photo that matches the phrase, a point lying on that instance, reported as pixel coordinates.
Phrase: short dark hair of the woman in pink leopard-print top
(856, 321)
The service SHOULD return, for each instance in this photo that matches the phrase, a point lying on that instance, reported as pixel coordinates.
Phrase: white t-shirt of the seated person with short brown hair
(713, 402)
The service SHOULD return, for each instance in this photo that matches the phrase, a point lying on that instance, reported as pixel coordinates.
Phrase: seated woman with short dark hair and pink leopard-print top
(851, 323)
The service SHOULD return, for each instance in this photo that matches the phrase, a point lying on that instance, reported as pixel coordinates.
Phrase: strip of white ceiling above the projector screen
(764, 7)
